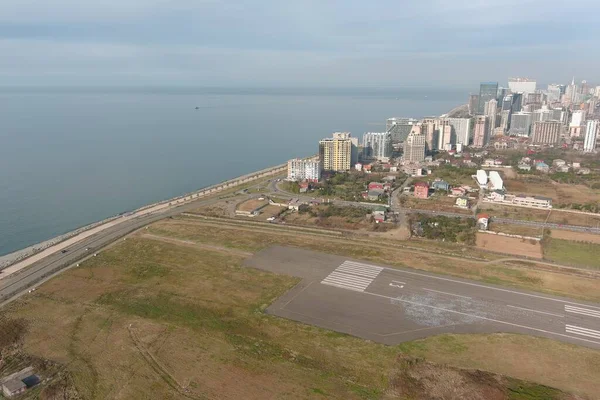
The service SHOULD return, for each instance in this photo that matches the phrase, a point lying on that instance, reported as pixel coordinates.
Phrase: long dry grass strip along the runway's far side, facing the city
(423, 257)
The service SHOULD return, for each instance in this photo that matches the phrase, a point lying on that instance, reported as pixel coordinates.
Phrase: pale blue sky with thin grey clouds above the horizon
(290, 43)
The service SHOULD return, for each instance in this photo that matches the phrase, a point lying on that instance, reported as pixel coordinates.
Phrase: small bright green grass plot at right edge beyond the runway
(573, 253)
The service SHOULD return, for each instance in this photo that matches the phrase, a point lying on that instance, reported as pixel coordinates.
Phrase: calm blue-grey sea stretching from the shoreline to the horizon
(72, 157)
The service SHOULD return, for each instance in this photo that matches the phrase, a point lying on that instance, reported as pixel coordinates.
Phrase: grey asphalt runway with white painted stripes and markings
(390, 305)
